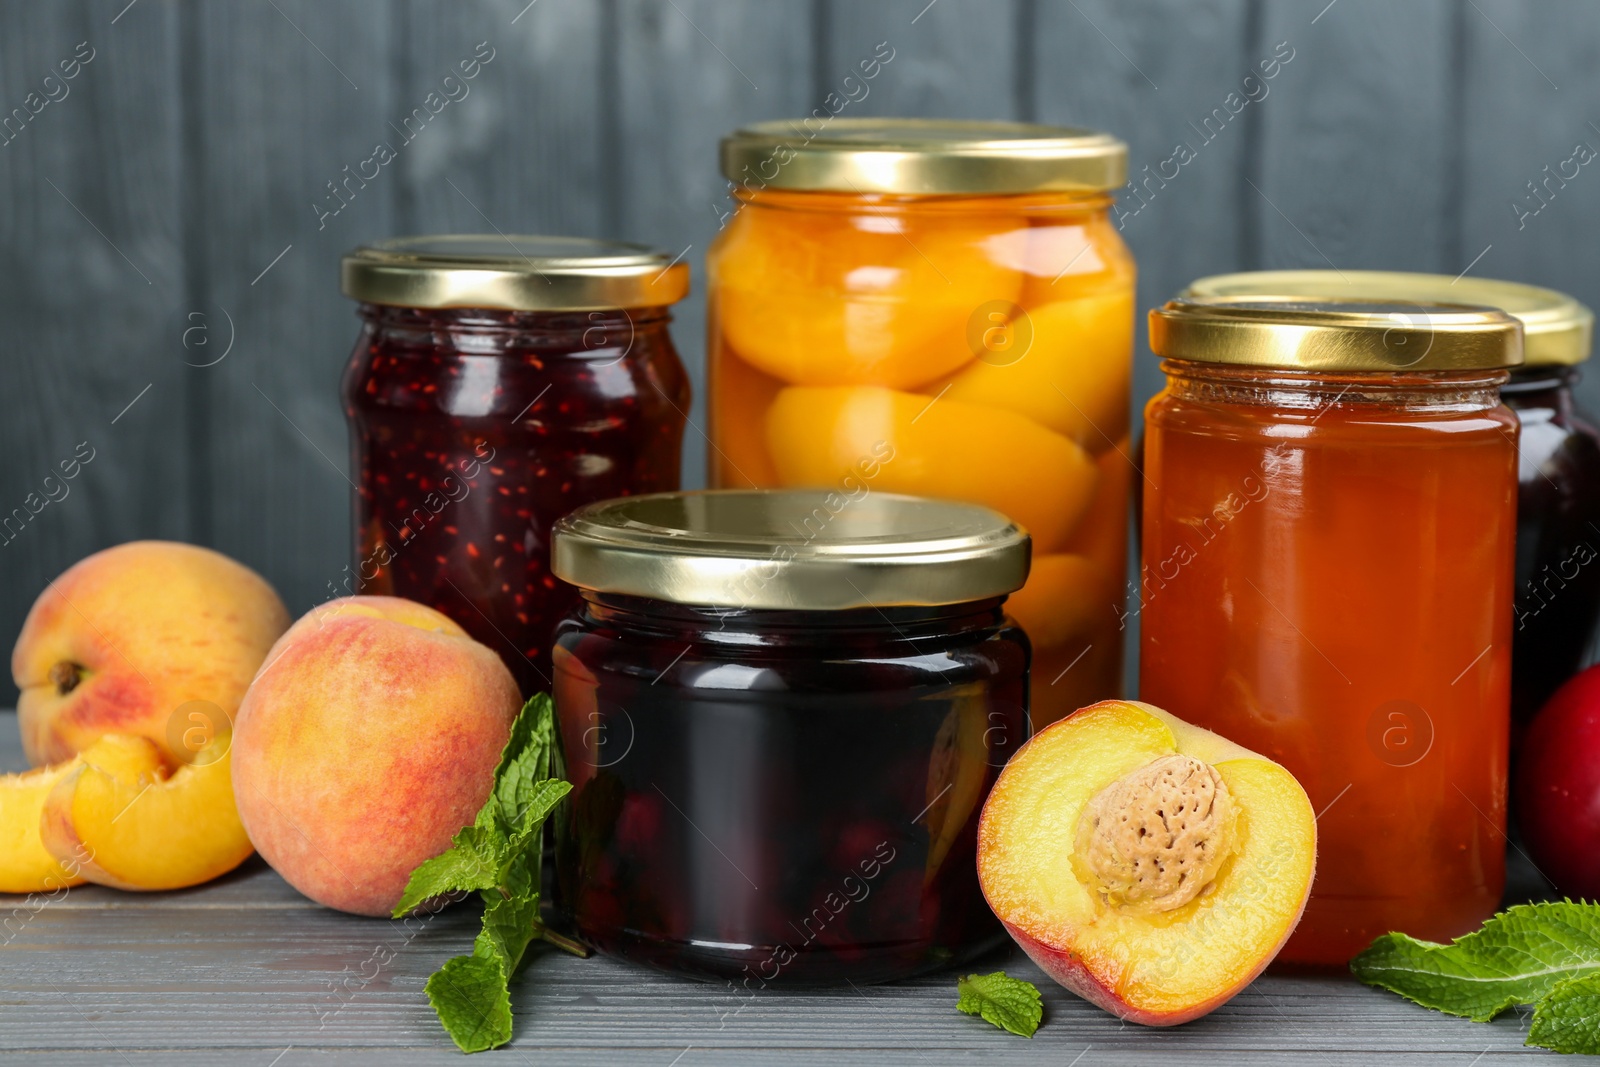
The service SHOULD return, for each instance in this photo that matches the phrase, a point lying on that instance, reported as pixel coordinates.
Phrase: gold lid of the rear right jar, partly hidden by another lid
(1556, 327)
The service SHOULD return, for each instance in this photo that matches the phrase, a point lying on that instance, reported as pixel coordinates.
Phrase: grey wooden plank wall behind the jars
(167, 202)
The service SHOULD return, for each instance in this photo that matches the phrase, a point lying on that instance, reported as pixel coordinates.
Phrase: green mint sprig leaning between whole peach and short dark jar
(498, 857)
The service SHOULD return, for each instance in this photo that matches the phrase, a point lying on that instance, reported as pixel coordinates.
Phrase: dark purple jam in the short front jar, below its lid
(783, 797)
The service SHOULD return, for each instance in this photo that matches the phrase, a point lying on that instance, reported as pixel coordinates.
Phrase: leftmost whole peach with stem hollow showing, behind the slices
(150, 637)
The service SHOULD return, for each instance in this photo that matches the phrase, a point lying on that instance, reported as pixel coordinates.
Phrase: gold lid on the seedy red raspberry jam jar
(529, 274)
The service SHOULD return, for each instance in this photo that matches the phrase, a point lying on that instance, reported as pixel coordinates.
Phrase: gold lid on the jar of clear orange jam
(1332, 335)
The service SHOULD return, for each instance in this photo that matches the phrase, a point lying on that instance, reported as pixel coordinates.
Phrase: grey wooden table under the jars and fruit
(247, 972)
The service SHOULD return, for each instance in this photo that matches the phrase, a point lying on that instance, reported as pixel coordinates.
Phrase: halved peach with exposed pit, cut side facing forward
(1150, 866)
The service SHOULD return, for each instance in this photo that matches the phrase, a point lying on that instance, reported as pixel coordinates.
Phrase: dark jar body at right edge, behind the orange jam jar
(1558, 537)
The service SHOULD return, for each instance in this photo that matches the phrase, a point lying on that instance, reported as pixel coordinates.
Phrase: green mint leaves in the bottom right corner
(1546, 956)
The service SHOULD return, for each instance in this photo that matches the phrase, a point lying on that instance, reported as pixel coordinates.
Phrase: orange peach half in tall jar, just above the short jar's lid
(934, 447)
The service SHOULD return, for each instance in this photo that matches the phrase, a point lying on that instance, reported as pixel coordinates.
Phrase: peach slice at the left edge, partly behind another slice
(26, 866)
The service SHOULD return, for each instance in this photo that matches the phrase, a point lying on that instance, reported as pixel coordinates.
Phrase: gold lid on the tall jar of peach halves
(922, 158)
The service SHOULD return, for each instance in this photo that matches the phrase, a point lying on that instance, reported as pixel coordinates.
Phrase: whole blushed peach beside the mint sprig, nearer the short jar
(369, 738)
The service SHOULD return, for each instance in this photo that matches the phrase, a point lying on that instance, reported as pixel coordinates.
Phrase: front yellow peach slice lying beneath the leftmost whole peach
(150, 831)
